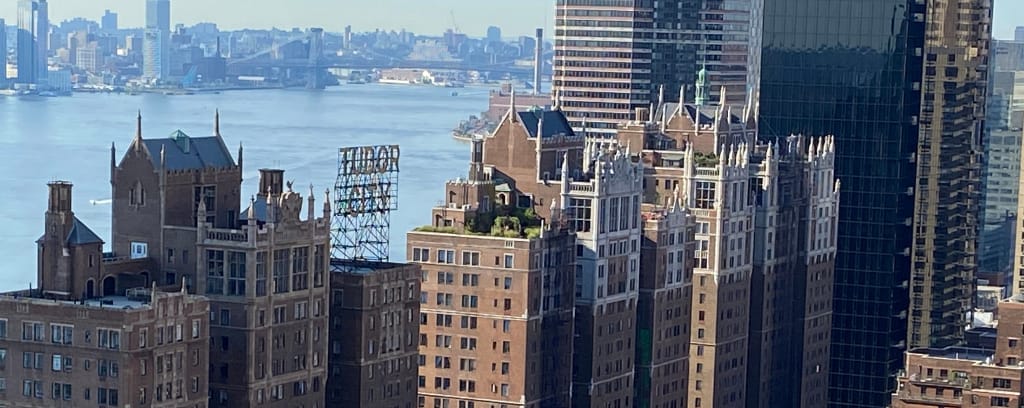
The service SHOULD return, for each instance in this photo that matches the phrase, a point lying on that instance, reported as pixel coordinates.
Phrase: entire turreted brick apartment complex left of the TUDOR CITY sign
(178, 226)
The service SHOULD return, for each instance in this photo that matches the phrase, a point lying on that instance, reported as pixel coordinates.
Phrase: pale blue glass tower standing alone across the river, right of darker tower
(156, 52)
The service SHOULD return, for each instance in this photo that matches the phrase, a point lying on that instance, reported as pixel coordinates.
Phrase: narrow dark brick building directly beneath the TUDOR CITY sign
(375, 335)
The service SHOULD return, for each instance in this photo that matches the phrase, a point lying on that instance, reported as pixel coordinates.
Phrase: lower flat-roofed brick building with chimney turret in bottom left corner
(71, 344)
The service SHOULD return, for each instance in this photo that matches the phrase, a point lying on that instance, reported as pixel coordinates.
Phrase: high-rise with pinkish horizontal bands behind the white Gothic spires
(611, 61)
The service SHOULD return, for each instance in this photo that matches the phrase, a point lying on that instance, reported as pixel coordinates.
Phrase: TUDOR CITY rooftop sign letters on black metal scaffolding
(366, 193)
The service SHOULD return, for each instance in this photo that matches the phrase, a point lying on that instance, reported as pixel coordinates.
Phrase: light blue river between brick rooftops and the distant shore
(69, 139)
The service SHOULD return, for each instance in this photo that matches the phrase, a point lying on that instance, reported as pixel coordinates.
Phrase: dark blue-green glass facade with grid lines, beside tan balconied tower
(846, 68)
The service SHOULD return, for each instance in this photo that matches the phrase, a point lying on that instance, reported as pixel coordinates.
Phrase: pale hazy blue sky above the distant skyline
(428, 17)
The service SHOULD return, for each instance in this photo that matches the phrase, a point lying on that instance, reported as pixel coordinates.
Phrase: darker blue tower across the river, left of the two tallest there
(33, 39)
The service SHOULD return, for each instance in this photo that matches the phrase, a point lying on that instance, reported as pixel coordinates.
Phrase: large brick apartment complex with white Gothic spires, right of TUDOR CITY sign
(732, 304)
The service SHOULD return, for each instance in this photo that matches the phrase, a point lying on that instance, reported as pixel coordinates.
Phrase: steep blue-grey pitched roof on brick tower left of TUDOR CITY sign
(186, 153)
